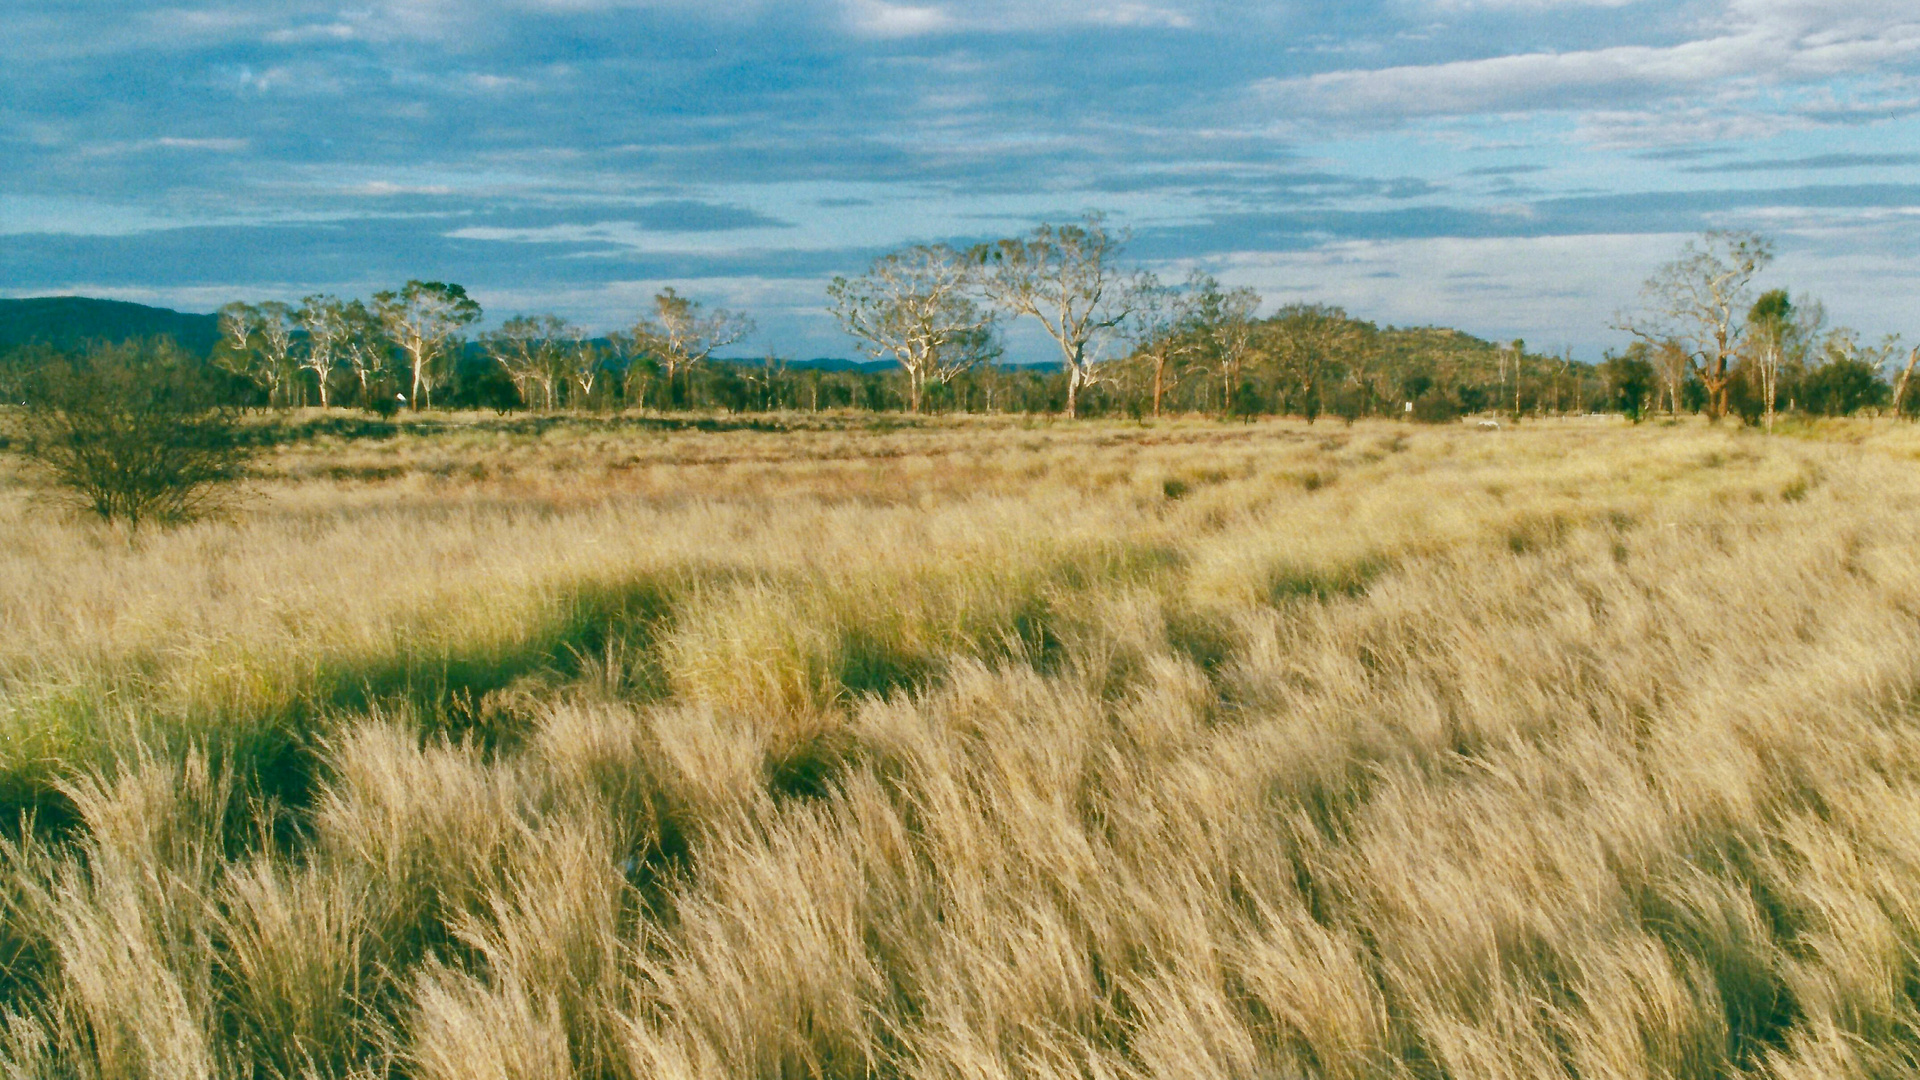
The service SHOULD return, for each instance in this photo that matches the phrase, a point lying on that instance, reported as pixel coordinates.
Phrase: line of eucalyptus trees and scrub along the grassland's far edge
(1126, 345)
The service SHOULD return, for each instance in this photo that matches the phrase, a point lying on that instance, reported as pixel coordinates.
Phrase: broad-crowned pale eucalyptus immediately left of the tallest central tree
(915, 308)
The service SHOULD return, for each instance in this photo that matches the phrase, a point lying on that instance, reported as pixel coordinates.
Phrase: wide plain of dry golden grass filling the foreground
(974, 749)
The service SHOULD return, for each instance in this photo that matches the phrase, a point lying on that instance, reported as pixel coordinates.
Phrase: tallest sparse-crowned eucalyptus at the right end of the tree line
(1698, 303)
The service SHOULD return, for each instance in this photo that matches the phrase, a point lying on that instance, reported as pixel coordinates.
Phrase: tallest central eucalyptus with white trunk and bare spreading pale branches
(1068, 280)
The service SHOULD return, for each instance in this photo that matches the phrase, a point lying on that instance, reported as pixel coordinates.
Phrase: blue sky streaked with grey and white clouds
(1512, 168)
